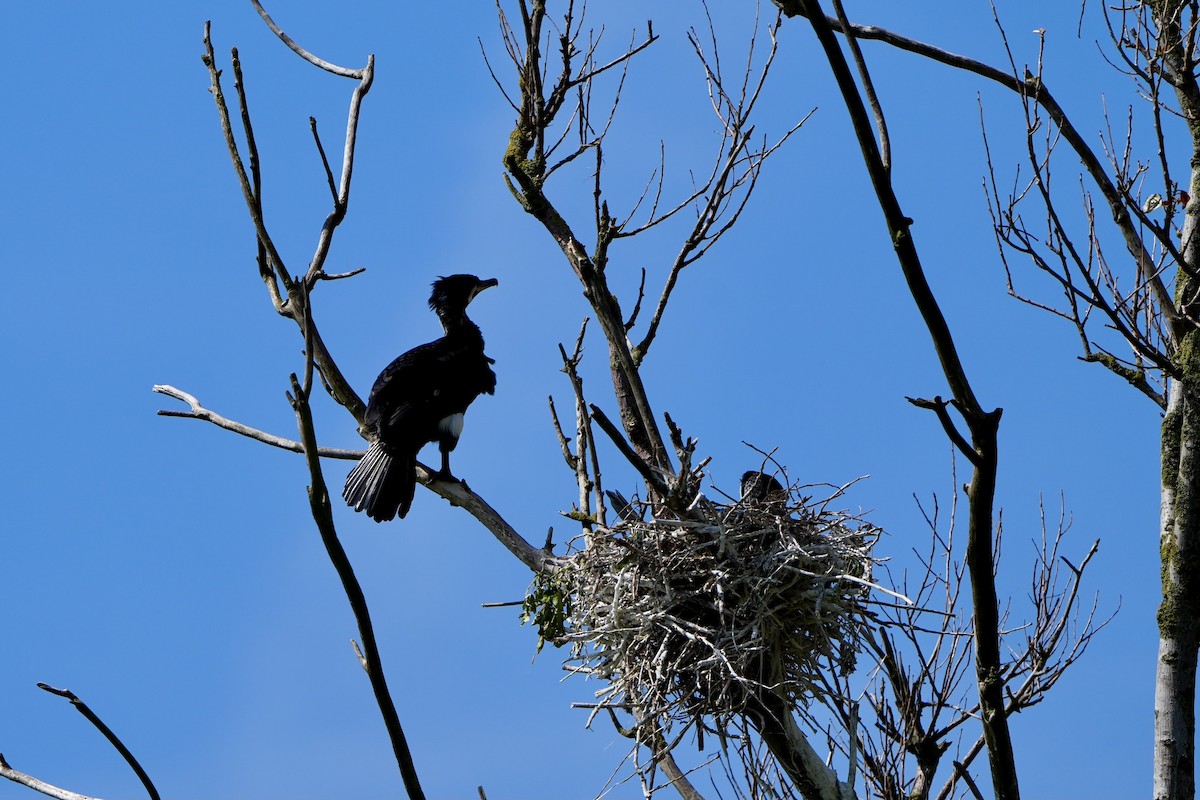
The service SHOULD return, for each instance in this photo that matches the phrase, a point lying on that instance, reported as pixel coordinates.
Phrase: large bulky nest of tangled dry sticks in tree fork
(686, 619)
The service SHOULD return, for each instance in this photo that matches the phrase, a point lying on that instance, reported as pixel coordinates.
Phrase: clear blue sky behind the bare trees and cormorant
(170, 574)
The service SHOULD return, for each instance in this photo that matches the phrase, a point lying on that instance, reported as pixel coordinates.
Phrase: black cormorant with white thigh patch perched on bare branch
(422, 398)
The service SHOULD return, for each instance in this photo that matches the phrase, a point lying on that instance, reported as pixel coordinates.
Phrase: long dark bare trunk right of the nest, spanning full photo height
(982, 425)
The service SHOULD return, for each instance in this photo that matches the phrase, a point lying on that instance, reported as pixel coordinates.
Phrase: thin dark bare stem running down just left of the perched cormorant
(323, 515)
